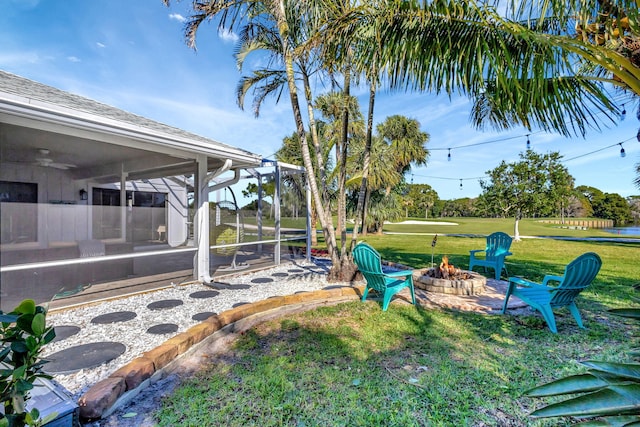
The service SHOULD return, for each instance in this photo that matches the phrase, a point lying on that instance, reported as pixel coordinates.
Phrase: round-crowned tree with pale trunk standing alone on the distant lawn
(526, 188)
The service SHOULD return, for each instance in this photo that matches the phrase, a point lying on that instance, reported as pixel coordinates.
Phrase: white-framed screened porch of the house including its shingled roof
(95, 201)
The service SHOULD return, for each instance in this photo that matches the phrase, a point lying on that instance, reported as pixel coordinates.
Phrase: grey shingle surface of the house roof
(22, 87)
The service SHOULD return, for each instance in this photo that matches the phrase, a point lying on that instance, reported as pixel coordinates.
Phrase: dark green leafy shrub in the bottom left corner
(24, 334)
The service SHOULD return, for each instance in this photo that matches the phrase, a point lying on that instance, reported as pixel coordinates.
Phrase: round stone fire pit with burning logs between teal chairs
(447, 279)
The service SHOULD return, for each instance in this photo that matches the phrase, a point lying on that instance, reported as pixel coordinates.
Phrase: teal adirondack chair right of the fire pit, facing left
(577, 276)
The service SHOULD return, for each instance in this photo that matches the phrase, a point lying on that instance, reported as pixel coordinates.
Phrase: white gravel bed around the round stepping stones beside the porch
(132, 333)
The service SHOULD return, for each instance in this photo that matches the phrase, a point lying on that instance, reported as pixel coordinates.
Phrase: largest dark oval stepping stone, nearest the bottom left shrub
(83, 356)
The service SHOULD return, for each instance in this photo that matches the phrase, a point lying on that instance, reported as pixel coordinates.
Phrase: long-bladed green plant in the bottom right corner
(610, 391)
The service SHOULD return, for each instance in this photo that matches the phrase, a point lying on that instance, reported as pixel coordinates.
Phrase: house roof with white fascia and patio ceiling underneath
(99, 141)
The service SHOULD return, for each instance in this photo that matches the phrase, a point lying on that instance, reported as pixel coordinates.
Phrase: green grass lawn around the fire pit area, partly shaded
(353, 364)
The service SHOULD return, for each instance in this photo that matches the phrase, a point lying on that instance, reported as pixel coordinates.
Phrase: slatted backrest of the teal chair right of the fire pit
(578, 274)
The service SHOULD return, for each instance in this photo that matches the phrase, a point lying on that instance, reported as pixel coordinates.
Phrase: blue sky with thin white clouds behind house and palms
(132, 55)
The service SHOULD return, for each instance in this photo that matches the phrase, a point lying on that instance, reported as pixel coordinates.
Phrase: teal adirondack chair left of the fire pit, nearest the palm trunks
(386, 284)
